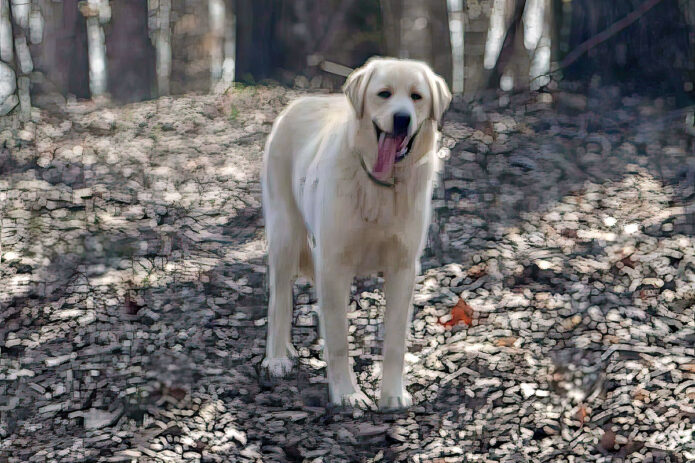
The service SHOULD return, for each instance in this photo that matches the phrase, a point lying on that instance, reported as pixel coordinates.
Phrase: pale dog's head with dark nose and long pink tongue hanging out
(396, 98)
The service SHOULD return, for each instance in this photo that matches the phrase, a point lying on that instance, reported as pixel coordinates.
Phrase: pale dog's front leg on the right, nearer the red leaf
(398, 289)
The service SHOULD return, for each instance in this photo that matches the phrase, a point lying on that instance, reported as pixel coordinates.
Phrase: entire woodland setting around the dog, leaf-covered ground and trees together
(554, 319)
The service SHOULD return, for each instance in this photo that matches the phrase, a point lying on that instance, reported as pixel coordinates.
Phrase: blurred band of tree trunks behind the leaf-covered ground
(131, 50)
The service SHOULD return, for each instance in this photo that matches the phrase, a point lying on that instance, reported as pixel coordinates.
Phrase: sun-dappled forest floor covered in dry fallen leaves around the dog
(133, 305)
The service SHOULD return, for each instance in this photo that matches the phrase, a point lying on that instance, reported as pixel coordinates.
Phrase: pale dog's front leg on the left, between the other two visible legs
(333, 288)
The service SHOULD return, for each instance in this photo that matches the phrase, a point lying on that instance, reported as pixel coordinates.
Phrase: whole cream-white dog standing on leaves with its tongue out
(347, 182)
